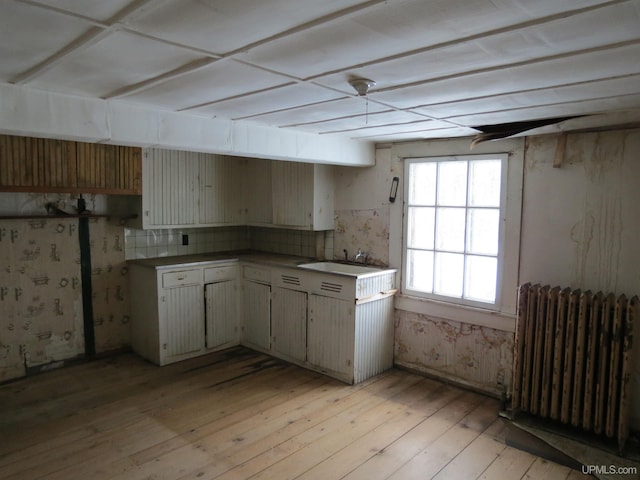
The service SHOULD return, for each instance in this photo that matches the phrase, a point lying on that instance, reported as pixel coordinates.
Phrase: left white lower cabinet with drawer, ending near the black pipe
(171, 321)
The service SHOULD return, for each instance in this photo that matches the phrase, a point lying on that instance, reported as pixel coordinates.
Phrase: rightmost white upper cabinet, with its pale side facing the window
(302, 195)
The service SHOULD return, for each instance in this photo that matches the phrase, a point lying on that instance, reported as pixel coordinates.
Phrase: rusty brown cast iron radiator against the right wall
(573, 358)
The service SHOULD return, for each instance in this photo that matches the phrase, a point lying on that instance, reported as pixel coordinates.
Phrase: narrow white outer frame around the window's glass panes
(500, 255)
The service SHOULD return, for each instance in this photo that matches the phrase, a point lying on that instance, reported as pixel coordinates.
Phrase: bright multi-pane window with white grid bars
(453, 227)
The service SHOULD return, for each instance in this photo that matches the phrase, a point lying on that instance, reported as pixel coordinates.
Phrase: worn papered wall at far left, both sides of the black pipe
(41, 318)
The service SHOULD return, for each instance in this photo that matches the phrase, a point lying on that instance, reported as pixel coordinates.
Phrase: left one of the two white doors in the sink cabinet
(289, 322)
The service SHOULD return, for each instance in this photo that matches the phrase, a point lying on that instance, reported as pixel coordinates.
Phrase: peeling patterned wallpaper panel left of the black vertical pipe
(40, 294)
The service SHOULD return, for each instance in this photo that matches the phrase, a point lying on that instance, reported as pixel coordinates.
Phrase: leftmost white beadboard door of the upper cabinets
(170, 190)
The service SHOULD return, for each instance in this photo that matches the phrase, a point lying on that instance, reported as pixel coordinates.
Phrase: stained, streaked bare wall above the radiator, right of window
(580, 225)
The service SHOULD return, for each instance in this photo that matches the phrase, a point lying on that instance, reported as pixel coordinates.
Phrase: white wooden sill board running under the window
(458, 313)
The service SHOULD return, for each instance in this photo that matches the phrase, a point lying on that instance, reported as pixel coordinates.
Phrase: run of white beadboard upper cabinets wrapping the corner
(188, 189)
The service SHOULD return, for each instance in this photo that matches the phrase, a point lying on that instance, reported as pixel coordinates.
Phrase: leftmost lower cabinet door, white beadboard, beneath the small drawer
(182, 329)
